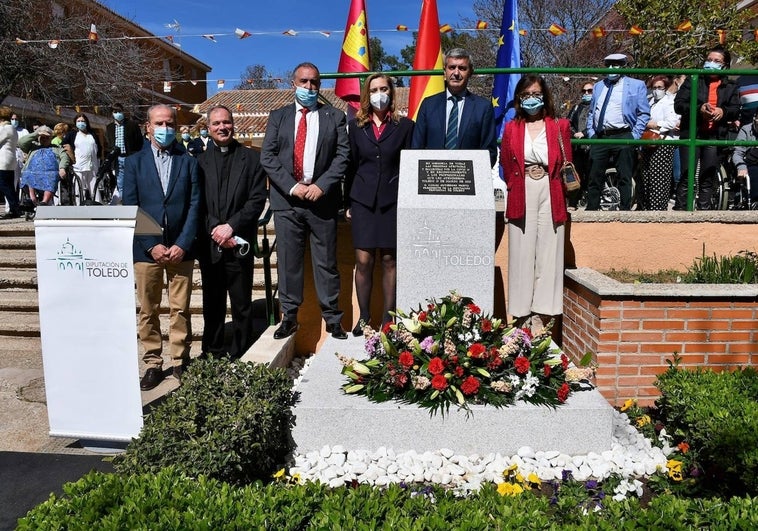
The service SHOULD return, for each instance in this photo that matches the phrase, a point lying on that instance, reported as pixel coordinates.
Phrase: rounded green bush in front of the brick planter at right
(717, 414)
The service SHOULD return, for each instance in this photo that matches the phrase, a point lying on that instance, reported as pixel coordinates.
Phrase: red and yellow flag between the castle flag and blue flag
(428, 57)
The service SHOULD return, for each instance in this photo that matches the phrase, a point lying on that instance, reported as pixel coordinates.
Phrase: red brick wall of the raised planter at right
(632, 339)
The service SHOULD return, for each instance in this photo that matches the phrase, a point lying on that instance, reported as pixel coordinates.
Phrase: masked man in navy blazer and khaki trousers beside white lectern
(163, 180)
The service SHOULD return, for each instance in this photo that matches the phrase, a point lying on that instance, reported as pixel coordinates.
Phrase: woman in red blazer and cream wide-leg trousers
(536, 206)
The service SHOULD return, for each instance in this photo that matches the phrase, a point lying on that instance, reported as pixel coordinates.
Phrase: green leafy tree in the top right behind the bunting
(660, 45)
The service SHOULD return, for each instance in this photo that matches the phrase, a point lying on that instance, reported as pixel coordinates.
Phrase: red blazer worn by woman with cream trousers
(512, 160)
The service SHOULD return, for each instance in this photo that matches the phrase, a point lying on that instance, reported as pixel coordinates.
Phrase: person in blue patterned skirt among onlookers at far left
(45, 165)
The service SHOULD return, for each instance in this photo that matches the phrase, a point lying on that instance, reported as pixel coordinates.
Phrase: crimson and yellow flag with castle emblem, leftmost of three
(355, 54)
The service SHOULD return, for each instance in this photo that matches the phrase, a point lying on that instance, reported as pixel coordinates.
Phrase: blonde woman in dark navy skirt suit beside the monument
(377, 135)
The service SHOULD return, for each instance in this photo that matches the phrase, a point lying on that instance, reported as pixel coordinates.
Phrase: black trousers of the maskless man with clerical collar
(235, 276)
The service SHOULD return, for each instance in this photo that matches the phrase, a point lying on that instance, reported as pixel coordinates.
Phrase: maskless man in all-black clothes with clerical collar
(234, 186)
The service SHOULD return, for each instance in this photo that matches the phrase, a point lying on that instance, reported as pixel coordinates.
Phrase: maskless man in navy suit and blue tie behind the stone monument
(456, 118)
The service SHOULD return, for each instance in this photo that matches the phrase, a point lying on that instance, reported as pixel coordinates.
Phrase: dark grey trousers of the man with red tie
(292, 228)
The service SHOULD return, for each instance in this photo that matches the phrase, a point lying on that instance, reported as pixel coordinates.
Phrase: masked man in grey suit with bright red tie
(305, 155)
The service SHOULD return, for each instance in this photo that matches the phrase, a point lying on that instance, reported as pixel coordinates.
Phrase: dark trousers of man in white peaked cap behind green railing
(601, 155)
